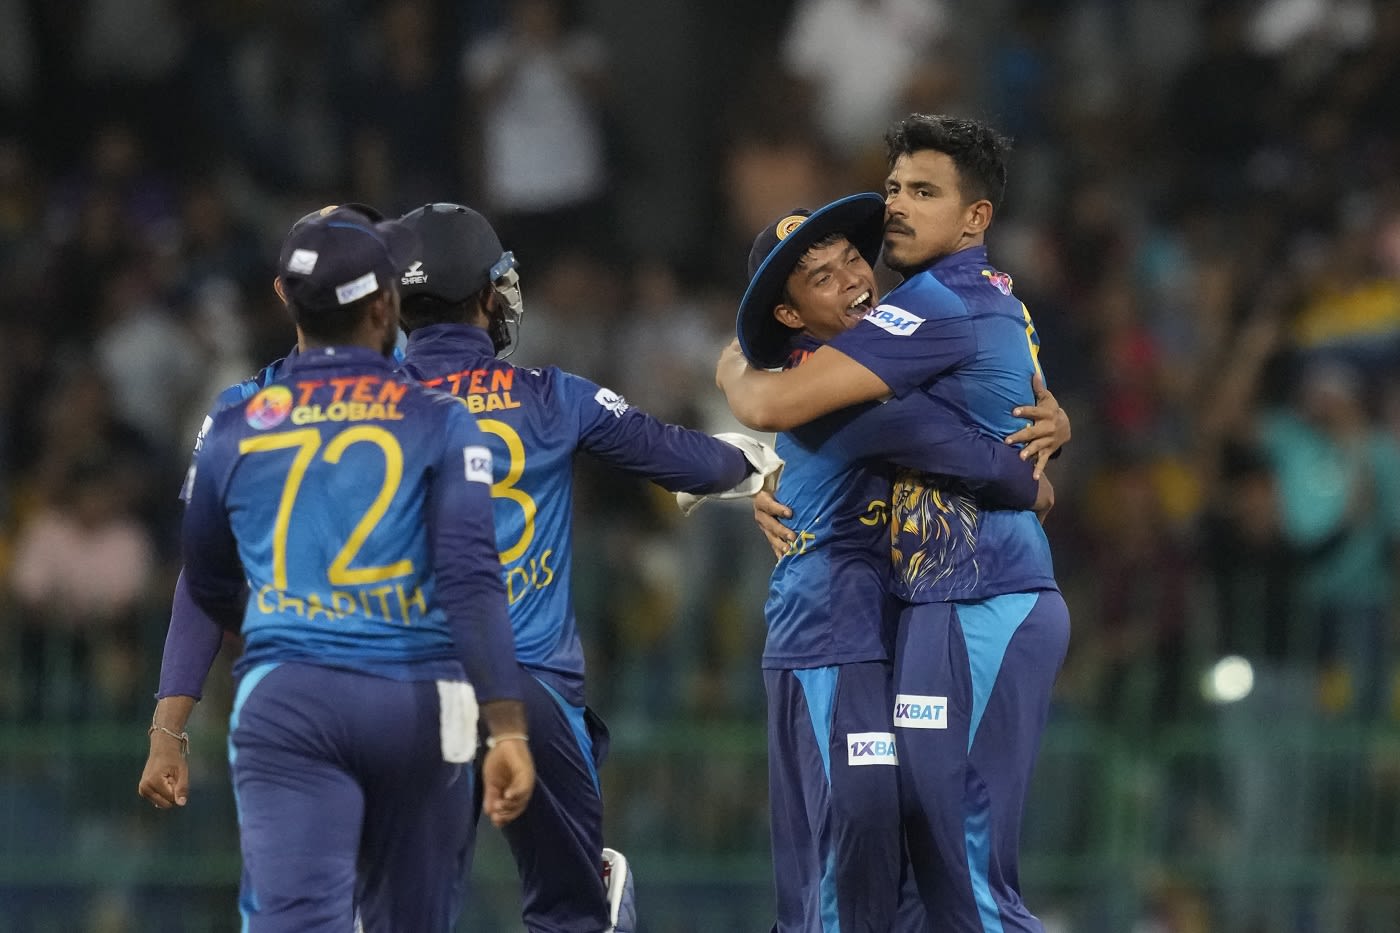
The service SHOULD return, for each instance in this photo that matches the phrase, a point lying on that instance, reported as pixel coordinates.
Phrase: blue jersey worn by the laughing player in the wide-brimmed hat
(828, 592)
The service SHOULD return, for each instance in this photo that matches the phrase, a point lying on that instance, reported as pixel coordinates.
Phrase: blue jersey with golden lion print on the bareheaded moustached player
(957, 336)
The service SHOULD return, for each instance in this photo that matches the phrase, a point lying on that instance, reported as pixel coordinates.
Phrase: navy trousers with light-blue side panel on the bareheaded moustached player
(972, 684)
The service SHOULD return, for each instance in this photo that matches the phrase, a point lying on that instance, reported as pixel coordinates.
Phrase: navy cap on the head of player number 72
(338, 256)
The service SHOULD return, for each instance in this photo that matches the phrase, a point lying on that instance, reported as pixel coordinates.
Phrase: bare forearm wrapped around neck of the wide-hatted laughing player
(825, 383)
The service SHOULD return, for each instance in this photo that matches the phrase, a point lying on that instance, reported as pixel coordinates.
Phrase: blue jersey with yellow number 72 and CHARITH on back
(356, 508)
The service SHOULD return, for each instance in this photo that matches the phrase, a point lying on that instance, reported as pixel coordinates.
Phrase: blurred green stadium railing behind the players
(1279, 820)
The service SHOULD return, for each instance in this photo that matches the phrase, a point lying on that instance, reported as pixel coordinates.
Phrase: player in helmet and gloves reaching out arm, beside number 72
(461, 298)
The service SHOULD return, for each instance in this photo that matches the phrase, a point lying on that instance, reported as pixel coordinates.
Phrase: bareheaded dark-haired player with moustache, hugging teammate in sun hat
(982, 628)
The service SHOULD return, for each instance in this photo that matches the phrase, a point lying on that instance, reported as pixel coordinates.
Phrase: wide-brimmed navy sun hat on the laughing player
(775, 256)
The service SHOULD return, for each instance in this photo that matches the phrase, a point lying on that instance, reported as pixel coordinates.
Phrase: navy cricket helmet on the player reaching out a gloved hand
(457, 251)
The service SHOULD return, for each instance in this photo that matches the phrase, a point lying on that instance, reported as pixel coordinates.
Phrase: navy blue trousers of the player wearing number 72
(344, 799)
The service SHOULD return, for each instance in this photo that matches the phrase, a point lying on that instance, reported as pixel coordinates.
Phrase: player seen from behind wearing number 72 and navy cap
(341, 519)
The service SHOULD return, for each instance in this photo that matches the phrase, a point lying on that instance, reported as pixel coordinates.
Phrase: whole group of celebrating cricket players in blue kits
(369, 513)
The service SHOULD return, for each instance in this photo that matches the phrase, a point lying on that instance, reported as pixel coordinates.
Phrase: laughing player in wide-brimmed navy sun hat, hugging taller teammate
(838, 843)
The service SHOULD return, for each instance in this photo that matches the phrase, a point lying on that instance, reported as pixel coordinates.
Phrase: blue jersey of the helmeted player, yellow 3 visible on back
(535, 421)
